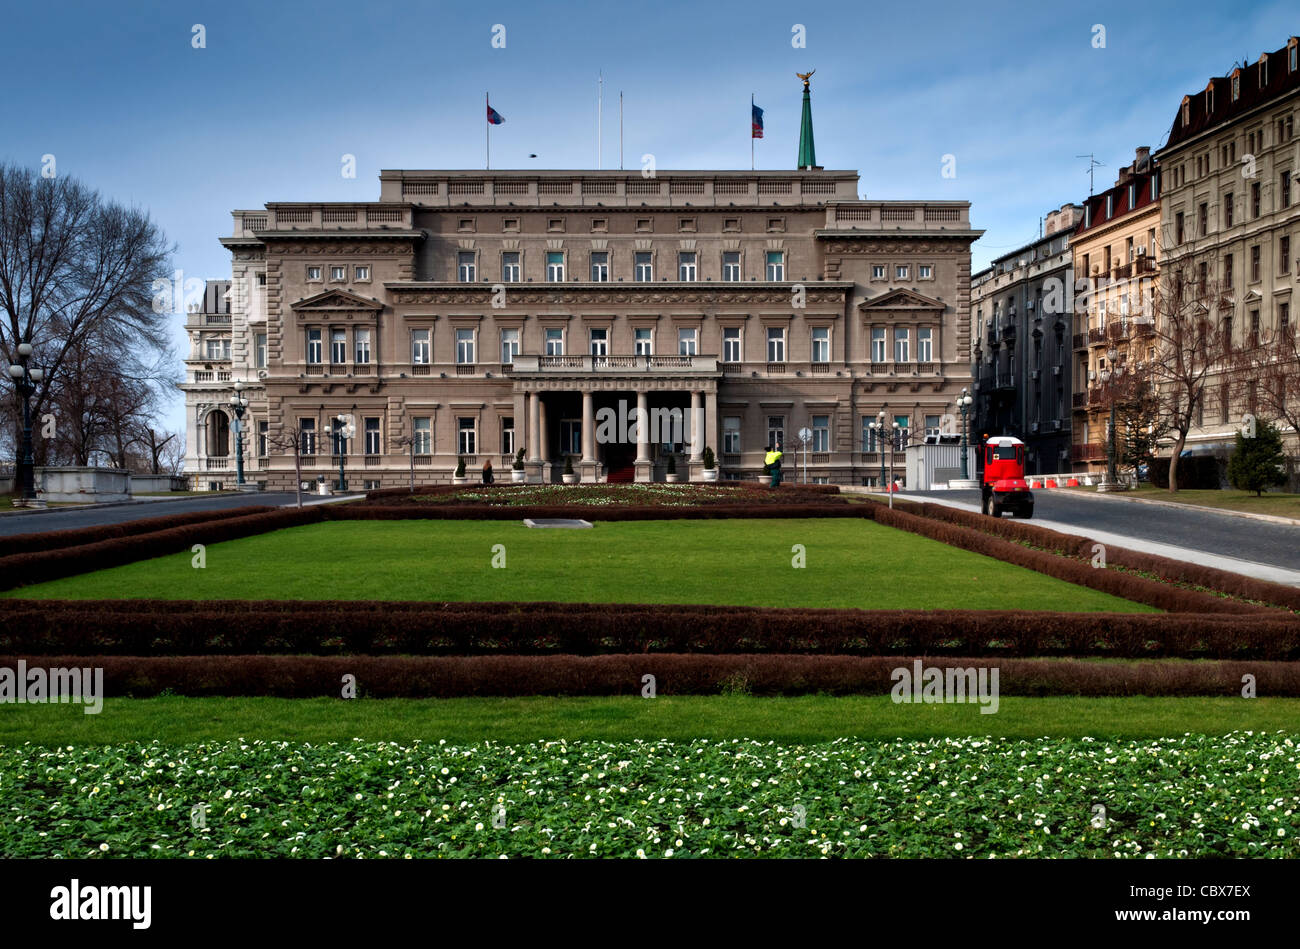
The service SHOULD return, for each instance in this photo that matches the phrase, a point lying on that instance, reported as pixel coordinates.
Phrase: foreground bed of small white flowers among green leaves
(942, 798)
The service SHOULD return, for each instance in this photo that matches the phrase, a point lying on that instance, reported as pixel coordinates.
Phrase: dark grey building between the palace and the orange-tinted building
(1021, 332)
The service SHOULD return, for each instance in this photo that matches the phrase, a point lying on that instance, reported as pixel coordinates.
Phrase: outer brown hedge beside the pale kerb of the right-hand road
(1164, 567)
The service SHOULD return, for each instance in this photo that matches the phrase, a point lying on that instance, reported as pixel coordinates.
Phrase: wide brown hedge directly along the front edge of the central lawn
(417, 629)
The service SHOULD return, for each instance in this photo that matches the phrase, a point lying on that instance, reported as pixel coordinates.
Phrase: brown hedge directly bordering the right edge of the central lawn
(1128, 586)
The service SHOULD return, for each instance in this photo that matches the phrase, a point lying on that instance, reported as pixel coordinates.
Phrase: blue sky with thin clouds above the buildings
(266, 109)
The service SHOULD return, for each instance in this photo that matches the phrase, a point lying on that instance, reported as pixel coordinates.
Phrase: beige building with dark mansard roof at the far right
(1230, 213)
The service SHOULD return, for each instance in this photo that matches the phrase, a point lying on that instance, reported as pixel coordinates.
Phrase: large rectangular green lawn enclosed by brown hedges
(850, 564)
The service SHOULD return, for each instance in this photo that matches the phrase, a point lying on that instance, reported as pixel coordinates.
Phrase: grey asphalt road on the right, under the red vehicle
(1211, 532)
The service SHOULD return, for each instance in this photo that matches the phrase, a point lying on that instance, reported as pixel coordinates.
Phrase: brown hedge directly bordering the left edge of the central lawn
(21, 570)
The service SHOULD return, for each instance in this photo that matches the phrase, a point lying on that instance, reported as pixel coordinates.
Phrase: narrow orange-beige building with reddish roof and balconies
(1116, 248)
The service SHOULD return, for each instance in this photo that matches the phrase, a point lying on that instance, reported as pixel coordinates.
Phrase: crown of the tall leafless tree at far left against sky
(76, 270)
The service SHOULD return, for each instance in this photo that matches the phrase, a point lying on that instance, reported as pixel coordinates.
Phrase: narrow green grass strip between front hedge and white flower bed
(681, 718)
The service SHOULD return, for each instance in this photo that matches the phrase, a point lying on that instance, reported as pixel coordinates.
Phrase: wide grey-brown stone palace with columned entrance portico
(470, 314)
